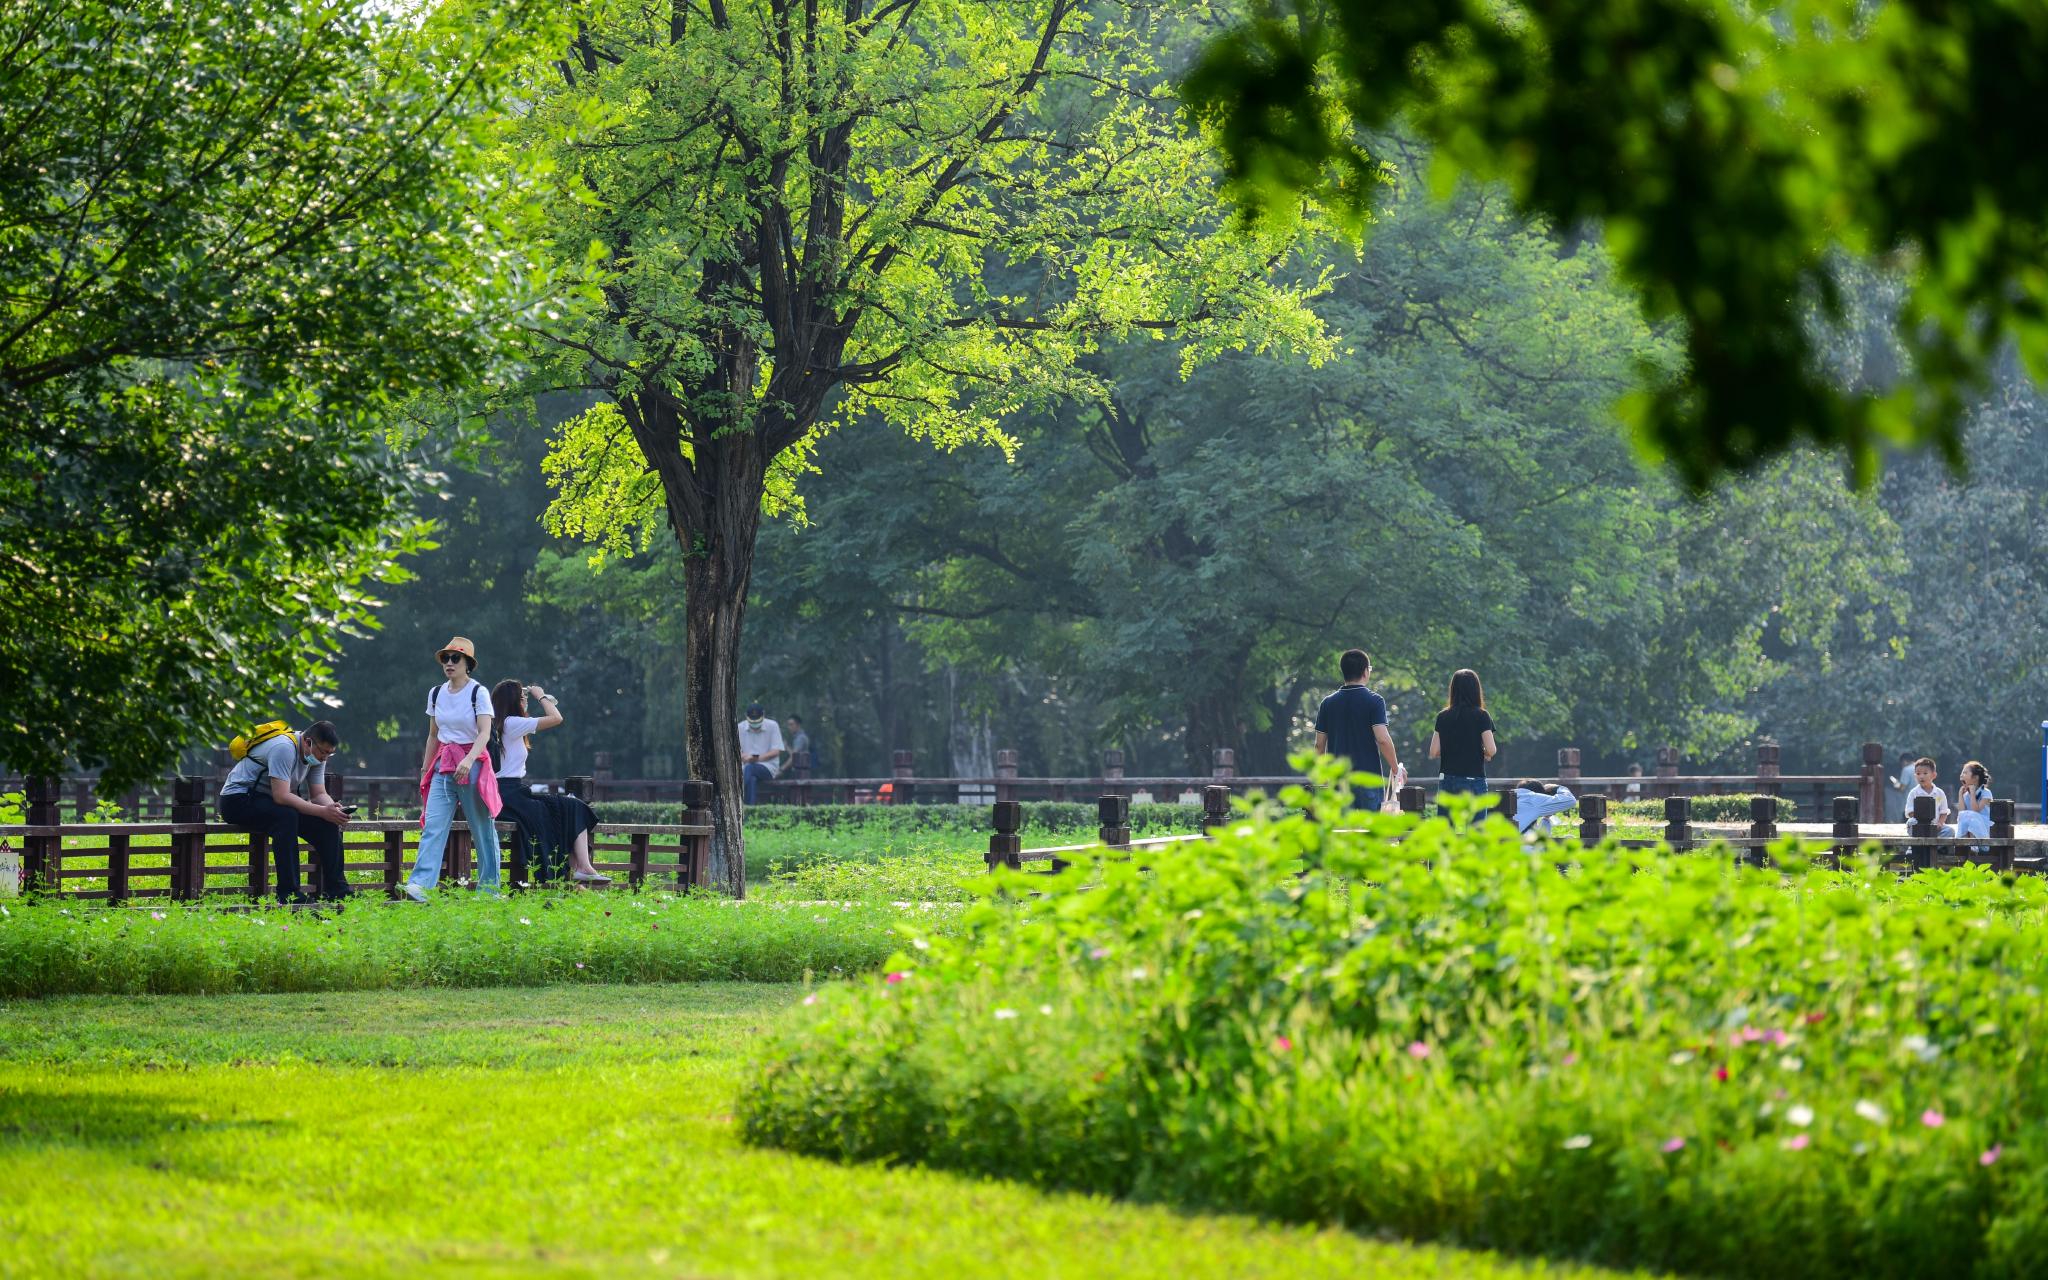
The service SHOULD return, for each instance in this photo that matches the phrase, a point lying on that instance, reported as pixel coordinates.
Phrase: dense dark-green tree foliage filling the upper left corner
(237, 239)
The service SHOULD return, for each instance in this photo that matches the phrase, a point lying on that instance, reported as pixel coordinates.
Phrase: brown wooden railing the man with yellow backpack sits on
(189, 857)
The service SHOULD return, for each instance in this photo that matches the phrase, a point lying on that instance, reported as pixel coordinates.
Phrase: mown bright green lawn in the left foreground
(568, 1132)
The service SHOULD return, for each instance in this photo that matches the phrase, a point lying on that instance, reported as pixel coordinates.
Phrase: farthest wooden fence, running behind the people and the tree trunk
(400, 796)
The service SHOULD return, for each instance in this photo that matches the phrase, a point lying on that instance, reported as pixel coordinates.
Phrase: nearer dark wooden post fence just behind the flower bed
(1920, 849)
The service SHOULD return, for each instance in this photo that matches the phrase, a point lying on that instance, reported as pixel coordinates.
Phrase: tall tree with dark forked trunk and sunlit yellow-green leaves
(912, 214)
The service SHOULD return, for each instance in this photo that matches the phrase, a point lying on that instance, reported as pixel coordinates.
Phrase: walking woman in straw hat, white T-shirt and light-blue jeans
(458, 771)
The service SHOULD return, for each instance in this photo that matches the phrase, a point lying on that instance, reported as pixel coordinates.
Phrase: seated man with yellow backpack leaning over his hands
(261, 796)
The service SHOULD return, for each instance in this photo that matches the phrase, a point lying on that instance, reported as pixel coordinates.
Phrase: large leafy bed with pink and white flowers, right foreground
(1689, 1066)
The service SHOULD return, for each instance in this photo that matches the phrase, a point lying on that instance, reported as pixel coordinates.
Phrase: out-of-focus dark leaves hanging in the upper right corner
(1732, 155)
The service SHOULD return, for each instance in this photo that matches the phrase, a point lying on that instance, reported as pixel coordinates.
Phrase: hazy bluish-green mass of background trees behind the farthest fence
(1179, 570)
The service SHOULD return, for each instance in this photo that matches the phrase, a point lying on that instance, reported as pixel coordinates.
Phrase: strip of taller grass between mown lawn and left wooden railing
(50, 949)
